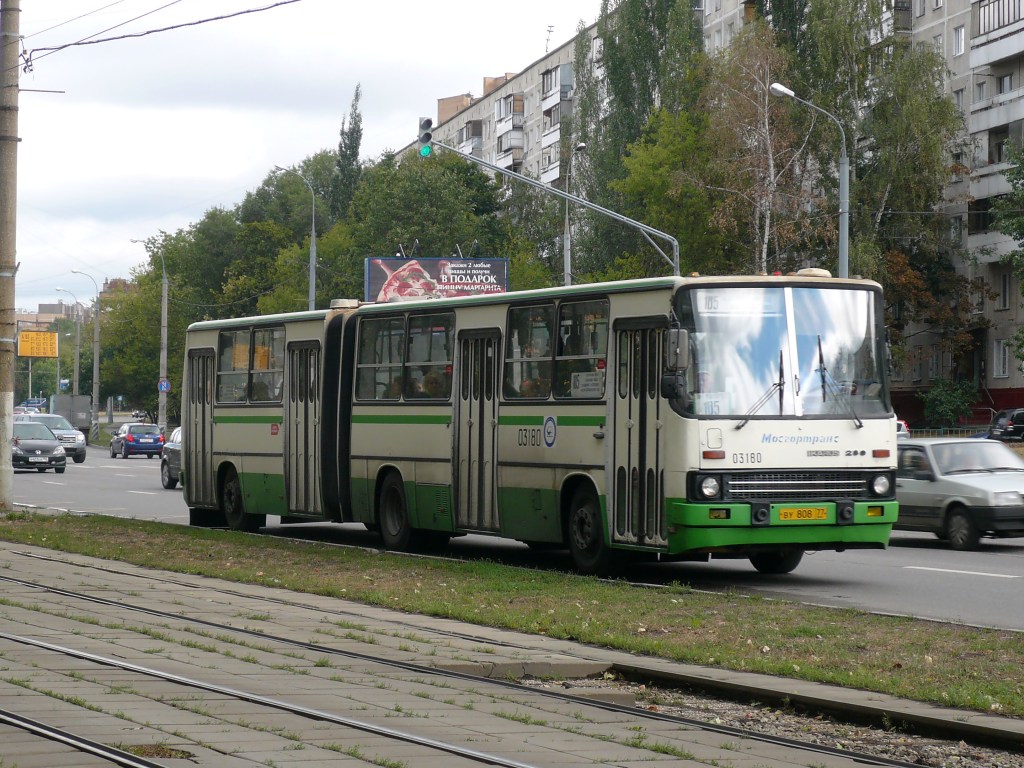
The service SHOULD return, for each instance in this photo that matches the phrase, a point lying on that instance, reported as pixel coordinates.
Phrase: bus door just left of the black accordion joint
(303, 425)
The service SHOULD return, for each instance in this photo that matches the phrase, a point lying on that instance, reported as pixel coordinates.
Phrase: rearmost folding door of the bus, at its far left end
(197, 460)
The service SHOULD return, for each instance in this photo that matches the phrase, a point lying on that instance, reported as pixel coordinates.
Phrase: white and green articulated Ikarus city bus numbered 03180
(672, 418)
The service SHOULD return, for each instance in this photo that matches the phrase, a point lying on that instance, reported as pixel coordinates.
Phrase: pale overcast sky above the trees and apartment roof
(147, 135)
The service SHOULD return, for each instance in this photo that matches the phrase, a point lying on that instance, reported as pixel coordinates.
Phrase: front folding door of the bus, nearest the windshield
(638, 496)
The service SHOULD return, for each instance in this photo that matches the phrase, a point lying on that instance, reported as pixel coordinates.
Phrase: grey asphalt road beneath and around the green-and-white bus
(918, 576)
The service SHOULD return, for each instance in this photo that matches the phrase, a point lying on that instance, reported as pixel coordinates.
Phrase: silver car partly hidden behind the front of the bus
(960, 489)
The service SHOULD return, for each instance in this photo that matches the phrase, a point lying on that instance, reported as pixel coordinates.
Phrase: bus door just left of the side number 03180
(477, 417)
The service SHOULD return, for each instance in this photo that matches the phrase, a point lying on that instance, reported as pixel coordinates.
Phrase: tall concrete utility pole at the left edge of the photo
(11, 13)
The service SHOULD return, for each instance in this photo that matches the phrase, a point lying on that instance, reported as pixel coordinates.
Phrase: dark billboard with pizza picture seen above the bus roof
(404, 280)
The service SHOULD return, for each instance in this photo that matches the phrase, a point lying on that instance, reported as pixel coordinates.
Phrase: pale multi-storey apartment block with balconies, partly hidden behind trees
(517, 125)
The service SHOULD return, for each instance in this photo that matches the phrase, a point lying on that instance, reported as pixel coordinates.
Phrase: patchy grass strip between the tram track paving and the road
(945, 664)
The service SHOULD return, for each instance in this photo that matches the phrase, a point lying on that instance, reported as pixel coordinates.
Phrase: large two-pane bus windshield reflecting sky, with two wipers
(785, 351)
